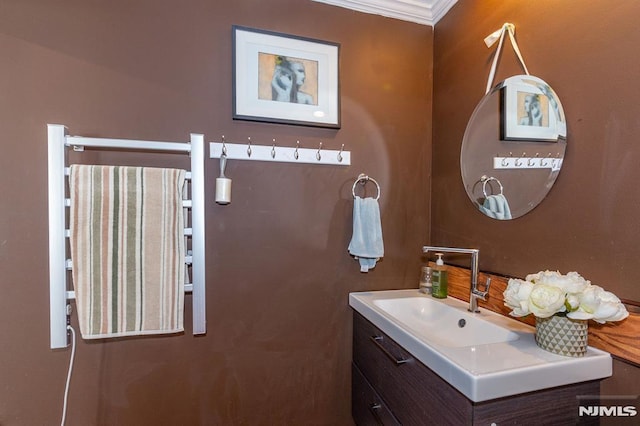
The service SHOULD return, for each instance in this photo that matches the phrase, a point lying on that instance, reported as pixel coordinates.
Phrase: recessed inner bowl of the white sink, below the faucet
(443, 324)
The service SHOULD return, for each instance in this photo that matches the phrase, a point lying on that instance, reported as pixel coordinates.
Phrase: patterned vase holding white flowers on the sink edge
(562, 335)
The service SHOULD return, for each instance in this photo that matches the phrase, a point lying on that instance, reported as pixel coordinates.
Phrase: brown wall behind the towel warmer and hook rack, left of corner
(278, 345)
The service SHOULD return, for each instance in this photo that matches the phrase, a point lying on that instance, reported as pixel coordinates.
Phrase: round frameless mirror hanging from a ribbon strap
(513, 147)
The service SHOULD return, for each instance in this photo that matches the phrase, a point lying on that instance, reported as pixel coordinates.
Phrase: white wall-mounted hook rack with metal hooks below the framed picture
(273, 152)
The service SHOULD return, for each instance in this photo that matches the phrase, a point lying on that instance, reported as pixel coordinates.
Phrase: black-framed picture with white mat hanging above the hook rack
(280, 78)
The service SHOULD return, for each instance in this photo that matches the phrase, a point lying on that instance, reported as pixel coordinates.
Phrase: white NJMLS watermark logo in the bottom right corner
(618, 406)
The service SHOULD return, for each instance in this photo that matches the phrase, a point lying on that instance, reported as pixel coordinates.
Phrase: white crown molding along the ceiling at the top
(426, 12)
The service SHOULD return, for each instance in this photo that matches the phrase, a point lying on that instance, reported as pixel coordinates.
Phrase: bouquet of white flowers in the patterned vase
(549, 293)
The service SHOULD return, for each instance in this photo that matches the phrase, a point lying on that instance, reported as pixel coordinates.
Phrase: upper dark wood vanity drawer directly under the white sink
(414, 394)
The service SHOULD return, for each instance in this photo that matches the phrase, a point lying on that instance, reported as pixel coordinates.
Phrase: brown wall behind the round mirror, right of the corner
(588, 222)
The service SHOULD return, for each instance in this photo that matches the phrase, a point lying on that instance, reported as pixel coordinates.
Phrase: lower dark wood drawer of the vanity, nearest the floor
(367, 407)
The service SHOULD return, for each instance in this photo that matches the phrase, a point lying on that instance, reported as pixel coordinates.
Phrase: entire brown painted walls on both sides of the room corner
(278, 344)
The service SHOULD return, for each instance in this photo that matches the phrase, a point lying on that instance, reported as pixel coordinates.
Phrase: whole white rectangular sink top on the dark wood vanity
(491, 356)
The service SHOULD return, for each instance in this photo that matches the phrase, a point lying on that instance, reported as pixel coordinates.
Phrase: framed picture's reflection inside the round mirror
(530, 111)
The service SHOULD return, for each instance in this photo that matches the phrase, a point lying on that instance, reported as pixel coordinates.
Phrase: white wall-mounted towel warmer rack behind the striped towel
(59, 264)
